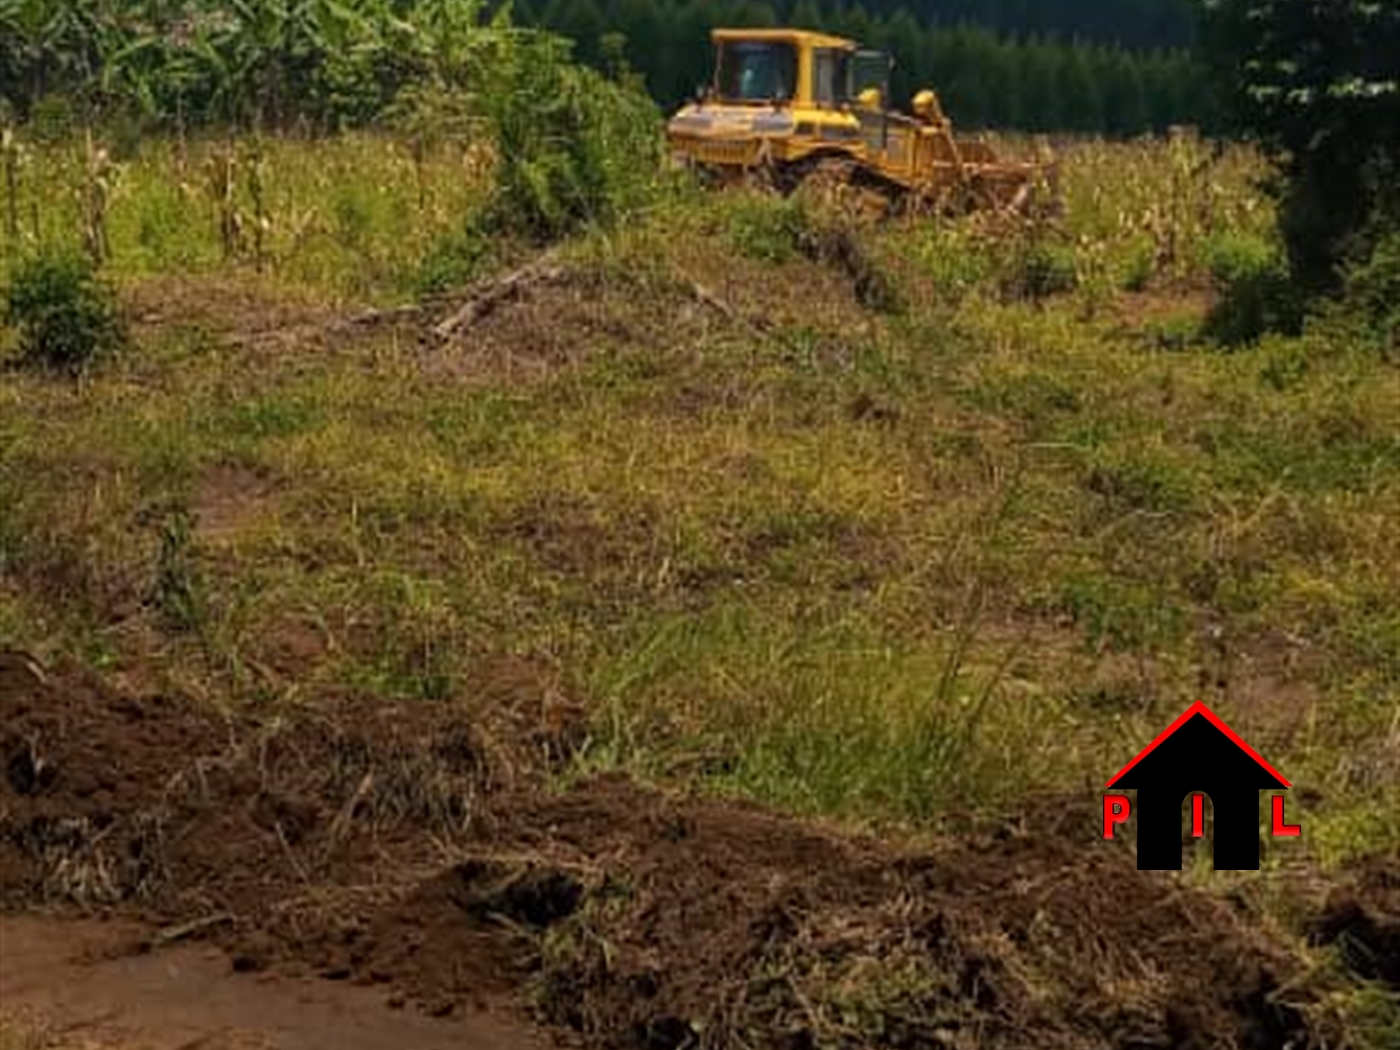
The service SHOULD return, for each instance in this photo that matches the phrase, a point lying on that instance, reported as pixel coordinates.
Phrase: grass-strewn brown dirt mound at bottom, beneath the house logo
(713, 925)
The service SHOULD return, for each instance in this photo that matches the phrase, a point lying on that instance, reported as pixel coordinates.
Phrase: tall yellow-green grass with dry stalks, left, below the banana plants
(359, 218)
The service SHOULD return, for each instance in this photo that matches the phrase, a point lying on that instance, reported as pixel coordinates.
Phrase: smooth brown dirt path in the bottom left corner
(75, 983)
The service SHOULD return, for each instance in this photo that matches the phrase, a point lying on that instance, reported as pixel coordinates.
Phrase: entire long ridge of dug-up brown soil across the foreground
(397, 846)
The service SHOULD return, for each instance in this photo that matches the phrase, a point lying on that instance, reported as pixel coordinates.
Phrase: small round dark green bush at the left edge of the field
(65, 314)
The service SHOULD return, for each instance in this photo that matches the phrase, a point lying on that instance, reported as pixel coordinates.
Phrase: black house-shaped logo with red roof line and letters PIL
(1198, 755)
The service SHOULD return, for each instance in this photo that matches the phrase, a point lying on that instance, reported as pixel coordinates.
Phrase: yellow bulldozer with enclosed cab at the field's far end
(793, 106)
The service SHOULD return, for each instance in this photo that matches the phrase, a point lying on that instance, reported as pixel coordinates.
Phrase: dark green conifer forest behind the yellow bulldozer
(1058, 82)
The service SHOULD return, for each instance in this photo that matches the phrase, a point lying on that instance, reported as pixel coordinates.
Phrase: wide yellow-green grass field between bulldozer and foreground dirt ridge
(913, 562)
